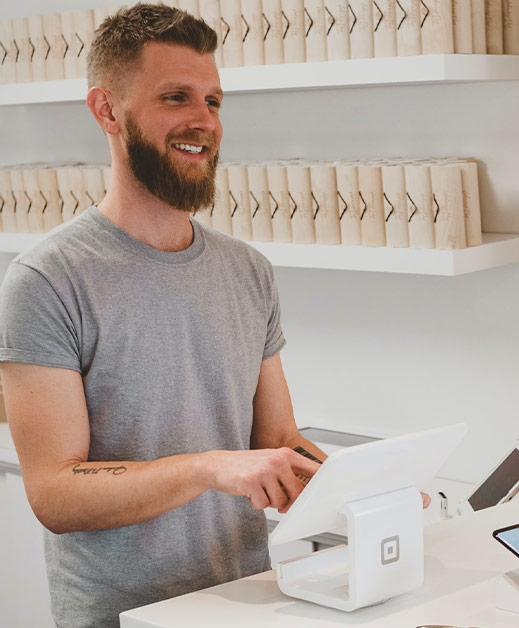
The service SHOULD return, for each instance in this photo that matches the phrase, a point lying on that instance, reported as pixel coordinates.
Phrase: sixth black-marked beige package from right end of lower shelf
(326, 206)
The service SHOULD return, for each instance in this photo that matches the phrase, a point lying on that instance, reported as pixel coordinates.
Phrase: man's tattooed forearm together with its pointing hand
(84, 496)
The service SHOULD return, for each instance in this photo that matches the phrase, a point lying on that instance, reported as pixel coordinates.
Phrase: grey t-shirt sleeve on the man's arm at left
(35, 326)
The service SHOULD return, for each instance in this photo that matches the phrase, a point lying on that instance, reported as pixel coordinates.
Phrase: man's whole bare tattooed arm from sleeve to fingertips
(48, 418)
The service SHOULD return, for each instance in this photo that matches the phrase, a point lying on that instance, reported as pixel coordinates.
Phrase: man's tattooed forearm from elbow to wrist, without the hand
(102, 495)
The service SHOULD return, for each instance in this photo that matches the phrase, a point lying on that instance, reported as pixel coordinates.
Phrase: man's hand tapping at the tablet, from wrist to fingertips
(268, 477)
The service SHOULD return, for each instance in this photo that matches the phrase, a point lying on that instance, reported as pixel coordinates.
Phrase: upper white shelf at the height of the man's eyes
(422, 69)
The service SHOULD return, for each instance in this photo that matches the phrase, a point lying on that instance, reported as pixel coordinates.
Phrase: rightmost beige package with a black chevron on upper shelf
(437, 27)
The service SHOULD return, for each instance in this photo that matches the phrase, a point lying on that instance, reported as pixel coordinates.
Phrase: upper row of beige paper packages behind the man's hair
(257, 32)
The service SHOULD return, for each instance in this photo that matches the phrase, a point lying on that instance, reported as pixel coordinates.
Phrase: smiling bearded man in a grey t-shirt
(140, 351)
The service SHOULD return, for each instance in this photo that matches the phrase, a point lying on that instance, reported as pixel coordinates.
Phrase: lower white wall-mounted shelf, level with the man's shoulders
(497, 250)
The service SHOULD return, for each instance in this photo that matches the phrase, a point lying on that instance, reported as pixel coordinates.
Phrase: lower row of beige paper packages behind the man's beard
(388, 202)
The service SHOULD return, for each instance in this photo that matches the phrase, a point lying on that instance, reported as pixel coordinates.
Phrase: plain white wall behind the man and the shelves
(368, 352)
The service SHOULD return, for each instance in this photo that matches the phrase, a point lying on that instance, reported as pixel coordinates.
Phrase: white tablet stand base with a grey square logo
(383, 558)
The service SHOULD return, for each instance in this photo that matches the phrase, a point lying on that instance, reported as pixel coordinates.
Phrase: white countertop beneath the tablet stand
(462, 561)
